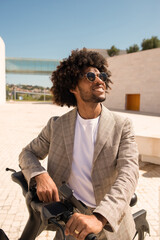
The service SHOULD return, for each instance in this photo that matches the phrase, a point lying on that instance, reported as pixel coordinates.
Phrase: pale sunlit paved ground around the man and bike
(19, 124)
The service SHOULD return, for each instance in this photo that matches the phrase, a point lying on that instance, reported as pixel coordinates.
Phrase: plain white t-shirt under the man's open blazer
(84, 141)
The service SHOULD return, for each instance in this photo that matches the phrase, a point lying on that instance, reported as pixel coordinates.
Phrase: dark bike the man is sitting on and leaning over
(45, 216)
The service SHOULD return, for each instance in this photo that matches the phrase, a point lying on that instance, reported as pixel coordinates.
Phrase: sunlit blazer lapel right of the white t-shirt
(106, 125)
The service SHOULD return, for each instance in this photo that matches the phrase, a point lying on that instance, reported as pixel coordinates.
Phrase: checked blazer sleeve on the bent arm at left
(36, 150)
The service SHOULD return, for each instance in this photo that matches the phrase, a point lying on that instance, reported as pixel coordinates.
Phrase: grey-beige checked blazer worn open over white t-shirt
(115, 165)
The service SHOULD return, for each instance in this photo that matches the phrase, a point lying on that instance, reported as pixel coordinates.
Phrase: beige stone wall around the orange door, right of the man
(136, 73)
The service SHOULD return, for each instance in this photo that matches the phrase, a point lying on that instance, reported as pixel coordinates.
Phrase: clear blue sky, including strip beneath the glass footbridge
(50, 29)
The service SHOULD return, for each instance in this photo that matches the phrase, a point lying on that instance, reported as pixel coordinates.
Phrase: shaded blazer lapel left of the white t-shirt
(68, 126)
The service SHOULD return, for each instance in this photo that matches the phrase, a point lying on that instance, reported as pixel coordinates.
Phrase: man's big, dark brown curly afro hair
(70, 70)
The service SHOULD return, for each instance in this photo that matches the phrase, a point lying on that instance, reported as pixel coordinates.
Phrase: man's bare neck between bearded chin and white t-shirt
(90, 111)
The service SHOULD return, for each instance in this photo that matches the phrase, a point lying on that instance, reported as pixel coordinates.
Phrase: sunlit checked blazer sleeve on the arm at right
(114, 203)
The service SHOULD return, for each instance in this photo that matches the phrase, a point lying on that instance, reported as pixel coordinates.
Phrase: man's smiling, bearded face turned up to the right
(93, 92)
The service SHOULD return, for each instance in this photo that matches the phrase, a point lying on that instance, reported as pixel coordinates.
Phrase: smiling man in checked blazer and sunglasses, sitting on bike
(90, 148)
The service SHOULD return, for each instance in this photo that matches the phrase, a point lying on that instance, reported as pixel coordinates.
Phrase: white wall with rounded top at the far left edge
(2, 73)
